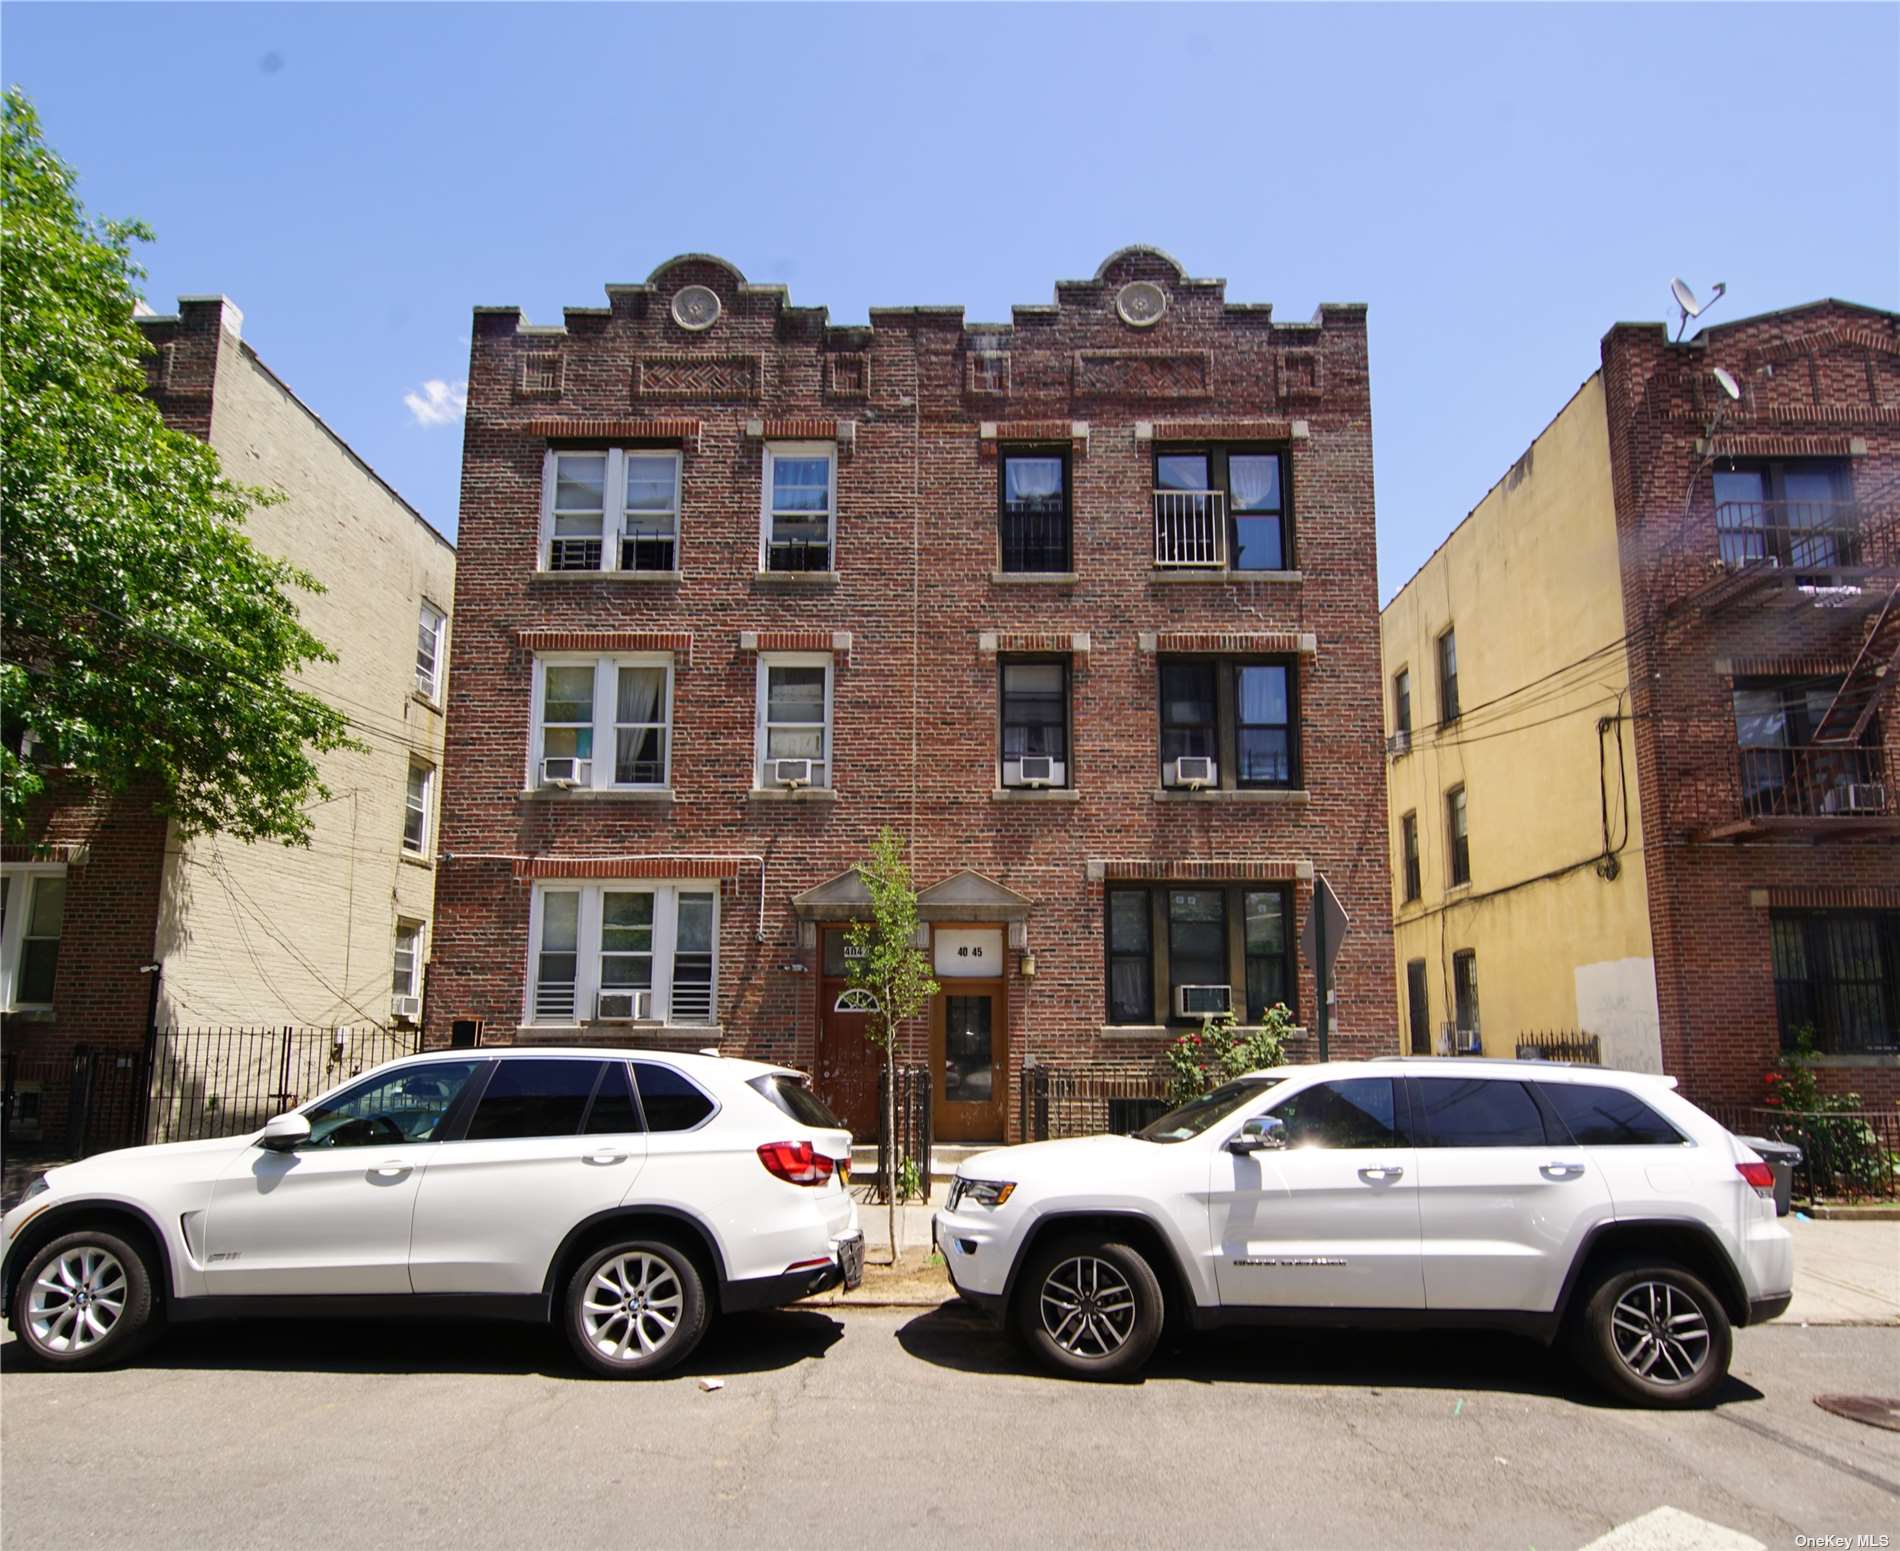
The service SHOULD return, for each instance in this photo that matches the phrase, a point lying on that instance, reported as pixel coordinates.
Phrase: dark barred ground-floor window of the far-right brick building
(1838, 978)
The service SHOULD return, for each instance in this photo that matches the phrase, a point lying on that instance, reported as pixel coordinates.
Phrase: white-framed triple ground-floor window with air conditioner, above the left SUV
(624, 951)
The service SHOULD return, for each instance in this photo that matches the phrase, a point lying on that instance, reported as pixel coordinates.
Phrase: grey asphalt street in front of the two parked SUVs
(921, 1428)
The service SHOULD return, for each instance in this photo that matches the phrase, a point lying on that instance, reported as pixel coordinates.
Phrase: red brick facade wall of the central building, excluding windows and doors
(917, 619)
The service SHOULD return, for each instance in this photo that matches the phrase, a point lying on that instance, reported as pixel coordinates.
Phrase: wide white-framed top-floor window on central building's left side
(613, 510)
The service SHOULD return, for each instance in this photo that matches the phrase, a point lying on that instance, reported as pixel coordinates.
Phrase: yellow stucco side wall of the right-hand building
(1530, 584)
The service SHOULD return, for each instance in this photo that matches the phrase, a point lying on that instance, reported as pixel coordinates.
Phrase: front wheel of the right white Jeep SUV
(1090, 1309)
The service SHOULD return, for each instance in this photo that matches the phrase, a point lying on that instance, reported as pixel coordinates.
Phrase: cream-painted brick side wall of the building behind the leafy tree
(335, 934)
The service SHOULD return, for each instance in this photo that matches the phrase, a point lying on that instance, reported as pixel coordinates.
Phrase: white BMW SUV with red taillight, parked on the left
(628, 1197)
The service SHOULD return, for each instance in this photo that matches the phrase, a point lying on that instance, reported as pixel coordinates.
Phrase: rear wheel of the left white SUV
(636, 1309)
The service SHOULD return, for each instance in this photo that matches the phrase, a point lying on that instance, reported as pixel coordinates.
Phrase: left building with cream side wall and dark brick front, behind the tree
(246, 934)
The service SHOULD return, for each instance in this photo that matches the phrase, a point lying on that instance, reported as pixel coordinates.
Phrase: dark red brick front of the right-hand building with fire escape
(1817, 383)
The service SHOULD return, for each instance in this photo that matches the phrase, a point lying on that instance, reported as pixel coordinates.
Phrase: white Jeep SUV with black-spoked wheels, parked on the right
(1551, 1200)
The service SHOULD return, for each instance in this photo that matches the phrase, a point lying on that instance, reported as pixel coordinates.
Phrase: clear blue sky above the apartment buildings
(1502, 183)
